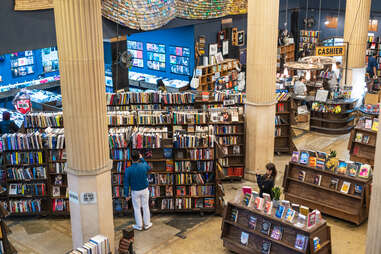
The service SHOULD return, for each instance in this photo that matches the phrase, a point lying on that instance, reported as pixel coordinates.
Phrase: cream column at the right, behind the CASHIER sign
(355, 34)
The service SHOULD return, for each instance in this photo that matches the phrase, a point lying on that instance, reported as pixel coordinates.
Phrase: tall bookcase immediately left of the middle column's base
(229, 129)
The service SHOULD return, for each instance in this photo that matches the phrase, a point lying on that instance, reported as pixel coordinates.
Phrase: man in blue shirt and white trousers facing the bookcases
(136, 177)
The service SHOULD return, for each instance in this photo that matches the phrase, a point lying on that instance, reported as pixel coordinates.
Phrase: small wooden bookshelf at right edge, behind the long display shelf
(360, 150)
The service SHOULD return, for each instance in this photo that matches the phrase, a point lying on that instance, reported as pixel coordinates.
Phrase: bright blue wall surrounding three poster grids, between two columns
(181, 37)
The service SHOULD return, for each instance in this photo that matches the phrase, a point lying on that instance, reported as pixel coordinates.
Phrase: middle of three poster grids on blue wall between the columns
(156, 56)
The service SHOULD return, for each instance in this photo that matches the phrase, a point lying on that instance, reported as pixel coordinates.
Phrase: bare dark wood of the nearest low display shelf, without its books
(232, 230)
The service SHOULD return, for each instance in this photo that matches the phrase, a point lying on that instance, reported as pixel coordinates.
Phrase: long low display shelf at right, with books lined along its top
(335, 187)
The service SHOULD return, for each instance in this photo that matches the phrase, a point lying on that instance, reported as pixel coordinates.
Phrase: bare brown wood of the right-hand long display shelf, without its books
(327, 199)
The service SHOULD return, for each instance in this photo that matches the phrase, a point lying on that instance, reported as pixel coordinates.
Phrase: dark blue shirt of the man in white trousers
(136, 177)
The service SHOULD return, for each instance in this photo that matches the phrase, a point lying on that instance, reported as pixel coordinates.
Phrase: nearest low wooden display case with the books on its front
(249, 230)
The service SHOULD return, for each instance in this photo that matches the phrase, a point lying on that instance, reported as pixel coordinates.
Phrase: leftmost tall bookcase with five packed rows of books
(25, 165)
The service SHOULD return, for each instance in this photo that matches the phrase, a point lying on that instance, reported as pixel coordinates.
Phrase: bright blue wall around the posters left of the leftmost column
(7, 77)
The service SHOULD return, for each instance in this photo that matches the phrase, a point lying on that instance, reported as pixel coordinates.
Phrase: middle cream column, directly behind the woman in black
(262, 38)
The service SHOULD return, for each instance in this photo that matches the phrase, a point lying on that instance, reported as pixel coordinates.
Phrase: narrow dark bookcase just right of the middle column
(283, 132)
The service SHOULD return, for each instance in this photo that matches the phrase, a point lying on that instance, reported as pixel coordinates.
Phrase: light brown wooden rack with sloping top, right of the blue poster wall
(207, 80)
